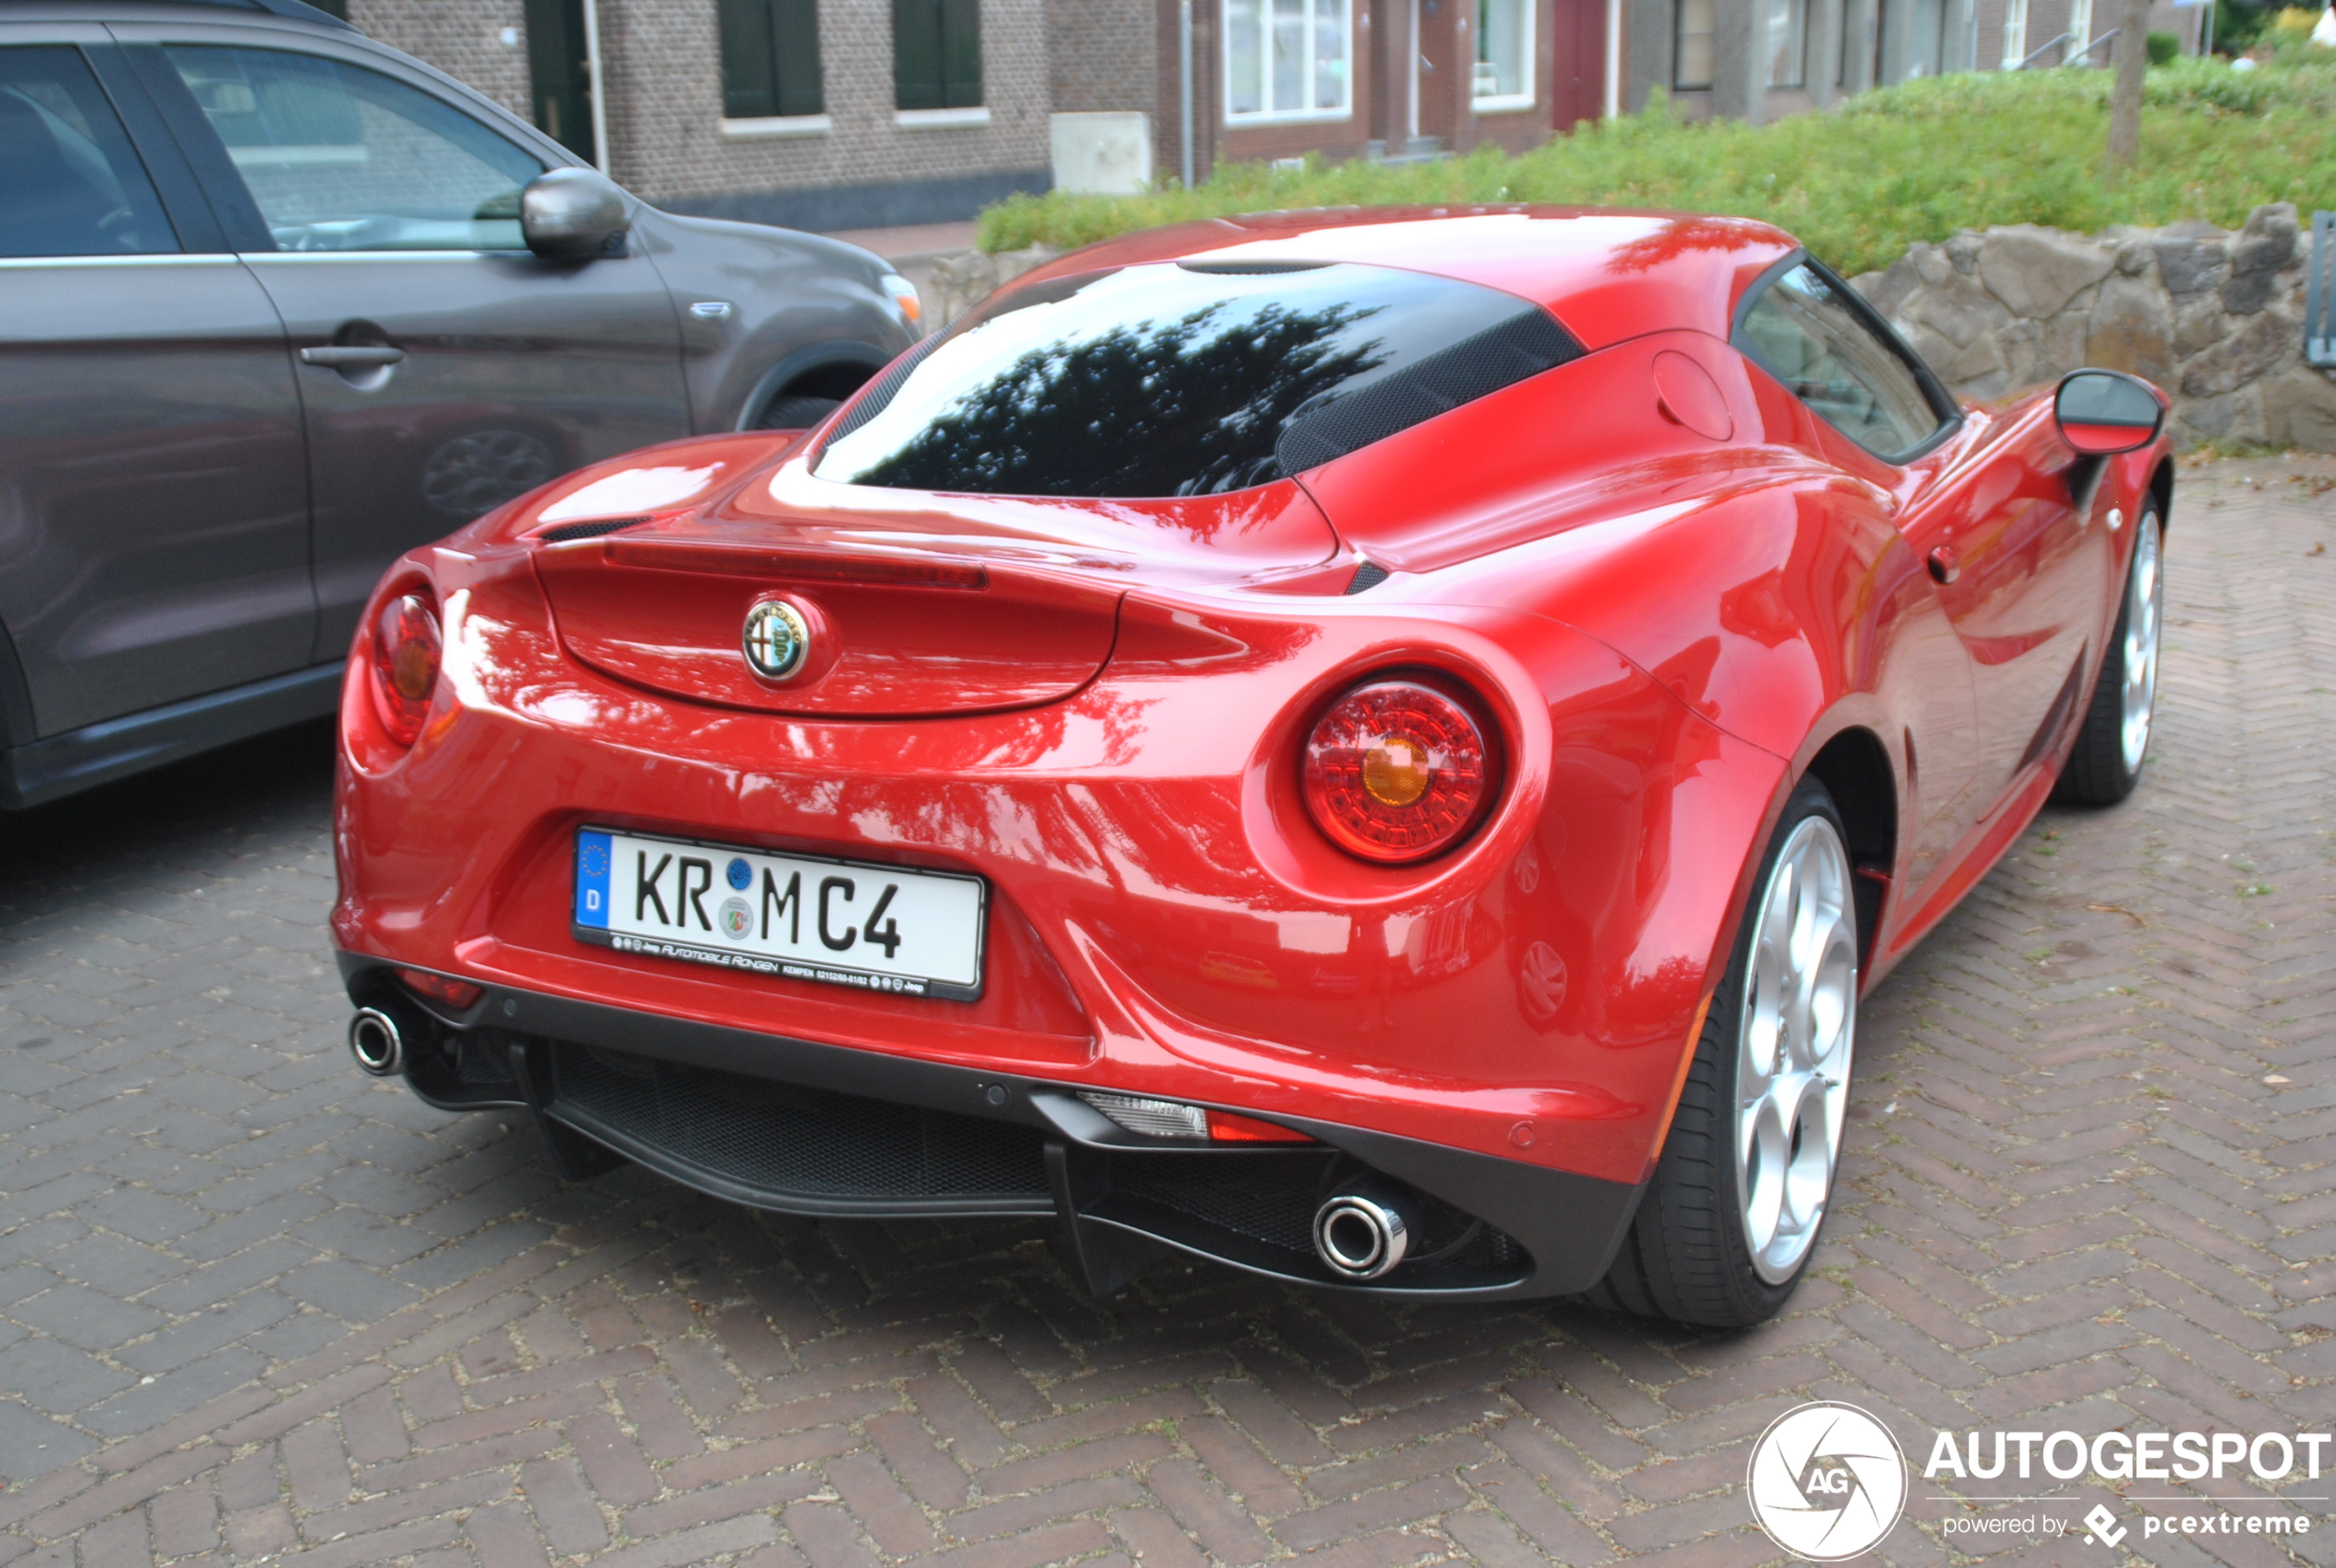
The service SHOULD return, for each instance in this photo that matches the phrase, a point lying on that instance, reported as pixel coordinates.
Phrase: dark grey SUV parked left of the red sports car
(277, 305)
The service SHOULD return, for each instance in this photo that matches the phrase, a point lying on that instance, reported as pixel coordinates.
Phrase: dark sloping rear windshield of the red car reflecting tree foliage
(1186, 380)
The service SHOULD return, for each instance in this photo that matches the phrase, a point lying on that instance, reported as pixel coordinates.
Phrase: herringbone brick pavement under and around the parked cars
(258, 1310)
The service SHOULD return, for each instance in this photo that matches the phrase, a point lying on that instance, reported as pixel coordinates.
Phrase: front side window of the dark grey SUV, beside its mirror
(340, 158)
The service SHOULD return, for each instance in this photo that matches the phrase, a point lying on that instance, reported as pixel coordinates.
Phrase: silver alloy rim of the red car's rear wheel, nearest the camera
(1793, 1048)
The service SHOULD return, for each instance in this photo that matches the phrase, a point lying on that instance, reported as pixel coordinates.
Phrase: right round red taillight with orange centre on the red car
(1398, 772)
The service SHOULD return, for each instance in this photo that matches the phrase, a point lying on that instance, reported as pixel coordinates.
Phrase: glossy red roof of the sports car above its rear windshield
(1608, 275)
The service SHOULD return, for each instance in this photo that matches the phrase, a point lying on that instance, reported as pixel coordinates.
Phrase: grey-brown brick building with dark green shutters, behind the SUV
(805, 113)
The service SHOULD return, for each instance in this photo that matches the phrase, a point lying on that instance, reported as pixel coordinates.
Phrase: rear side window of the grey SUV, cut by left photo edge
(69, 179)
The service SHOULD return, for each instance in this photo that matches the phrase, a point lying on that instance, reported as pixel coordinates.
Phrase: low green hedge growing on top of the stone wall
(1858, 186)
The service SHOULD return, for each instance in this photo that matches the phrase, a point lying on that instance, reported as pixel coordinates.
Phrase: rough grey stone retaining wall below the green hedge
(2211, 317)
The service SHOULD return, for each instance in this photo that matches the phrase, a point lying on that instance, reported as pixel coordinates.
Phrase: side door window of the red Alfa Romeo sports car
(1805, 333)
